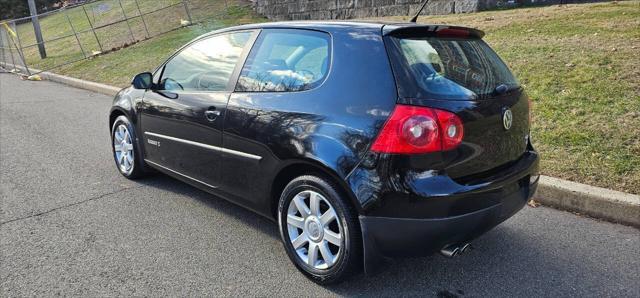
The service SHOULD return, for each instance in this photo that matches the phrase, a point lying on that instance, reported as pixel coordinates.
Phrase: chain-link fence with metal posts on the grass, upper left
(82, 31)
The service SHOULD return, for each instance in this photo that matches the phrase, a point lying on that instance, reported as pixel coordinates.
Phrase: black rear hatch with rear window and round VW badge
(452, 68)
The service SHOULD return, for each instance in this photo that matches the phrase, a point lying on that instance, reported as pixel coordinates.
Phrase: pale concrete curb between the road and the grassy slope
(615, 206)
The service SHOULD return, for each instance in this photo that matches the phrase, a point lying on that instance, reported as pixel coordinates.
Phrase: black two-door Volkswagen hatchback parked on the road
(361, 140)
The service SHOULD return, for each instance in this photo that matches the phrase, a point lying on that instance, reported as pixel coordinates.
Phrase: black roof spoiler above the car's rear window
(411, 30)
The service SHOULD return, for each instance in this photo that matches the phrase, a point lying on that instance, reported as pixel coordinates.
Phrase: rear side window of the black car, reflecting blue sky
(286, 61)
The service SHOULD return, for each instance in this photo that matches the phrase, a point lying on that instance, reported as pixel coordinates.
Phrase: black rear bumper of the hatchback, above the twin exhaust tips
(470, 211)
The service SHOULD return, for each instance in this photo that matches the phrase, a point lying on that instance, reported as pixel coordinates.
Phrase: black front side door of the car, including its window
(182, 116)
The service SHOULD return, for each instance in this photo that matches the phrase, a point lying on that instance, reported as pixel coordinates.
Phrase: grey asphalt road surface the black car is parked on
(71, 225)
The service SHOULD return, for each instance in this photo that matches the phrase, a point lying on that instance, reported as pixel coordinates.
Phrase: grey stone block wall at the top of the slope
(349, 9)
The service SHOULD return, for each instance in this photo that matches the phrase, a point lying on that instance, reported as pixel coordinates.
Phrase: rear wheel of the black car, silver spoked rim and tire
(345, 260)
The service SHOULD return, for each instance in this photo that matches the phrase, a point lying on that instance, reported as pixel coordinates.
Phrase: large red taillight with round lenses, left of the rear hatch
(412, 130)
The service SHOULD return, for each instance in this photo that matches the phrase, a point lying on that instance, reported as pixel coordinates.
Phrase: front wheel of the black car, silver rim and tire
(125, 148)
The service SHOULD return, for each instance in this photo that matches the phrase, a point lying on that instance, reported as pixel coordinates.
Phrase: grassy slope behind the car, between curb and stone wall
(576, 62)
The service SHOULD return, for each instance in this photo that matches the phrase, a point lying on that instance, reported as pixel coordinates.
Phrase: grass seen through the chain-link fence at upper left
(115, 36)
